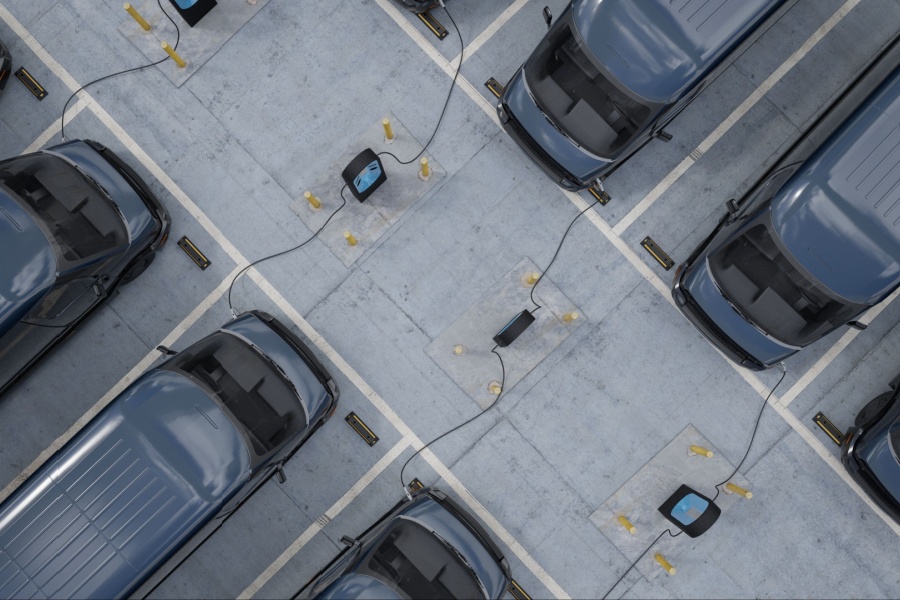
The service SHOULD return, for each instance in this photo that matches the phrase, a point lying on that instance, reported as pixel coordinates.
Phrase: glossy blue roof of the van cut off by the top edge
(658, 48)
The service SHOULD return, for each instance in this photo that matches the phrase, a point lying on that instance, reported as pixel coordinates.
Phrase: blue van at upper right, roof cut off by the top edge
(611, 74)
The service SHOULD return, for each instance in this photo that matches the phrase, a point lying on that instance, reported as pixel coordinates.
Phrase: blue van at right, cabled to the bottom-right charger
(815, 242)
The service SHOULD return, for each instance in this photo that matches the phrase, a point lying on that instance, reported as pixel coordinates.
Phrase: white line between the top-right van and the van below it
(734, 117)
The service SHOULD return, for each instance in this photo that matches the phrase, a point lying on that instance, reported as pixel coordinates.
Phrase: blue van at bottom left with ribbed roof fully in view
(163, 465)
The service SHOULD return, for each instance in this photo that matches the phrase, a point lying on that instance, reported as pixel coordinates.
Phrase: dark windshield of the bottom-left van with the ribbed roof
(258, 396)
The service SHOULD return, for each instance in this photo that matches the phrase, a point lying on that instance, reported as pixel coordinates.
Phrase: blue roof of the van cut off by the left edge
(27, 262)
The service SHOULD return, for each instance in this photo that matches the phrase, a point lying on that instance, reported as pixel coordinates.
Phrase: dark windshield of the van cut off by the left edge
(77, 216)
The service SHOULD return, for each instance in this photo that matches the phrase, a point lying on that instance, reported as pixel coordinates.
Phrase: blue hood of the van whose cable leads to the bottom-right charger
(701, 286)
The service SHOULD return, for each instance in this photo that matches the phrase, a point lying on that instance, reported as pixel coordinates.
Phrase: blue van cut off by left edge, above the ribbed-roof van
(76, 222)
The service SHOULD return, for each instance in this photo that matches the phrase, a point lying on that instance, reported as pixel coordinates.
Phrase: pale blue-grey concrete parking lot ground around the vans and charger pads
(231, 149)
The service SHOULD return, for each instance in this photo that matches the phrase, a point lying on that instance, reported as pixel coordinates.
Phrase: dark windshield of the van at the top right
(573, 90)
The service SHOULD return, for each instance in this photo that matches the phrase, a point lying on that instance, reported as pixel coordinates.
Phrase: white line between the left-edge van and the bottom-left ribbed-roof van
(131, 376)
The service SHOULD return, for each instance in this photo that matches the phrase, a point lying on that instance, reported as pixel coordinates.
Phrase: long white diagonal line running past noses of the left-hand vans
(273, 294)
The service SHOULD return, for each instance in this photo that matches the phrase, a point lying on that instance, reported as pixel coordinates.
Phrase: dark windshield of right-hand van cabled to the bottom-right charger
(766, 287)
